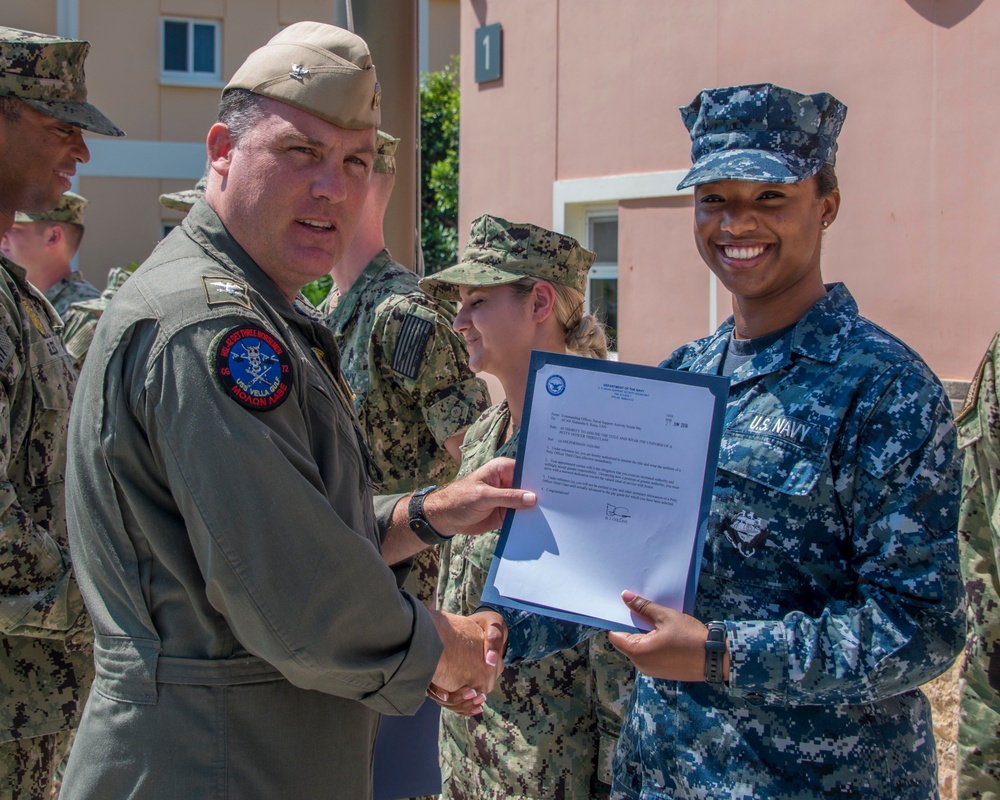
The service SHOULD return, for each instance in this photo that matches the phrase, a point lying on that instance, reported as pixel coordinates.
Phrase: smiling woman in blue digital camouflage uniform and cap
(829, 589)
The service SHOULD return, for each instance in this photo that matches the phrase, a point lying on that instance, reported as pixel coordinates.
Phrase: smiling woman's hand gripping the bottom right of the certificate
(673, 650)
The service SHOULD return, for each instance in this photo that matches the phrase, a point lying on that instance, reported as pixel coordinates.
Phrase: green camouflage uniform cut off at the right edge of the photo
(979, 540)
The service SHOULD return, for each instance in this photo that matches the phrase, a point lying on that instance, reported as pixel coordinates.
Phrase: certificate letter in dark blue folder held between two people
(622, 458)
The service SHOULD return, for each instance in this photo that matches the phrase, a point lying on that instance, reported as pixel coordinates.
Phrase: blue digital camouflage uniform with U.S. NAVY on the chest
(831, 556)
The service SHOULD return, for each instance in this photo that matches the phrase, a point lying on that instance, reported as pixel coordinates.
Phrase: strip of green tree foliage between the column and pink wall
(439, 117)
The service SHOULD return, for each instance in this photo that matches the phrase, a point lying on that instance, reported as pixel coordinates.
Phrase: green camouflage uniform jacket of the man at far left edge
(44, 630)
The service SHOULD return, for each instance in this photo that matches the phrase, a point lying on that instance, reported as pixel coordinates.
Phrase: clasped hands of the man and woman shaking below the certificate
(471, 662)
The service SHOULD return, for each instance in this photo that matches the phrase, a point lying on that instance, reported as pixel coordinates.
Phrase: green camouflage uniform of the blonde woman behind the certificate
(549, 728)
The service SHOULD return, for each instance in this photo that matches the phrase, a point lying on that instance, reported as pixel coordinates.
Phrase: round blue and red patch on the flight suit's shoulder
(253, 367)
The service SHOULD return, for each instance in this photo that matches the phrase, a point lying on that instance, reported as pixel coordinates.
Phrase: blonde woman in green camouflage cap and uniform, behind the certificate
(549, 728)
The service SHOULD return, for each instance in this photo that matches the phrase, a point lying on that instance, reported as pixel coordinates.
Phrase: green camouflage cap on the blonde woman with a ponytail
(500, 252)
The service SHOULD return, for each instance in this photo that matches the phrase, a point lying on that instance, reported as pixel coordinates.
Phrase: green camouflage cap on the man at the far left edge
(46, 72)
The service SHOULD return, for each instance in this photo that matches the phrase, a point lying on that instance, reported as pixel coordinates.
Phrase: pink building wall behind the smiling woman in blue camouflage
(590, 89)
